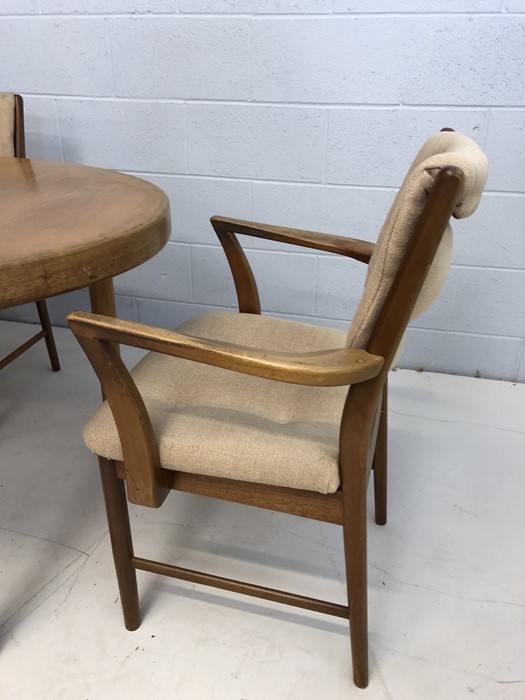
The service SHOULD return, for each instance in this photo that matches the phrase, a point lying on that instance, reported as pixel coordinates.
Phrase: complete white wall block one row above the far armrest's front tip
(277, 143)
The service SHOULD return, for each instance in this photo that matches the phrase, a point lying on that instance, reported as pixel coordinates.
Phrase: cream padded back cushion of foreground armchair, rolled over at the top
(447, 148)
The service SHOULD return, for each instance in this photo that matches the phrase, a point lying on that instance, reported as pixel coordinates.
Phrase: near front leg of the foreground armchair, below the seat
(121, 542)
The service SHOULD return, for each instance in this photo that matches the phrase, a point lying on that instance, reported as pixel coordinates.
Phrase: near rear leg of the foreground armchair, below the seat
(354, 532)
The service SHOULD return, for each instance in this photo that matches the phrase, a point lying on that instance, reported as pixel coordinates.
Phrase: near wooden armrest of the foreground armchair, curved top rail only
(334, 367)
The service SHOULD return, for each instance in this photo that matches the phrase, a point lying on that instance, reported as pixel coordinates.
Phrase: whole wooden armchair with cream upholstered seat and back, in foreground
(270, 412)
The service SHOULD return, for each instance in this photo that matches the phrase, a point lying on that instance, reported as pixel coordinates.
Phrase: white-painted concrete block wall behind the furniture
(296, 112)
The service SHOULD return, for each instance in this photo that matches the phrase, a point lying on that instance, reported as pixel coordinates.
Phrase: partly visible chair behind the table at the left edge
(12, 144)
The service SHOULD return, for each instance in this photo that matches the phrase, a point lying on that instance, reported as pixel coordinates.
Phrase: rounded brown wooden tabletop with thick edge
(66, 226)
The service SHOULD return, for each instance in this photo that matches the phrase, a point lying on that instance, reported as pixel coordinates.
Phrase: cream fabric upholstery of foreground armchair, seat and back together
(221, 423)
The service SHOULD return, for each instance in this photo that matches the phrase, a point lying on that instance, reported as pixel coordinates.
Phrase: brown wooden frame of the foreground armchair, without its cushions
(363, 432)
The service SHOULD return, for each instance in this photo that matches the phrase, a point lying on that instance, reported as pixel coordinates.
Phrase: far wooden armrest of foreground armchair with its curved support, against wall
(245, 284)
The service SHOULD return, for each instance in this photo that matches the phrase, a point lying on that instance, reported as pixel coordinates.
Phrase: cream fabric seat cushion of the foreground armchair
(222, 423)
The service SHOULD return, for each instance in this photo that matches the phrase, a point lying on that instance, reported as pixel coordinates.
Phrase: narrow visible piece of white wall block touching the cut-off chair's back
(41, 128)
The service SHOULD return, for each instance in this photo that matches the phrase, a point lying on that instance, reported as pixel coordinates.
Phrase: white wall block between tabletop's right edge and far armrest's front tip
(194, 200)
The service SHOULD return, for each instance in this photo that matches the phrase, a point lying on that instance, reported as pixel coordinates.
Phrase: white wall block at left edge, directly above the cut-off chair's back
(65, 56)
